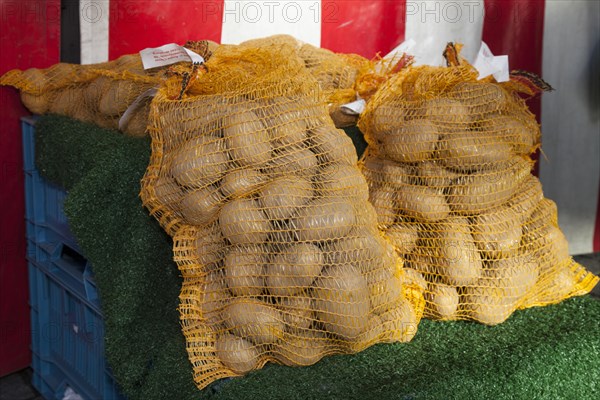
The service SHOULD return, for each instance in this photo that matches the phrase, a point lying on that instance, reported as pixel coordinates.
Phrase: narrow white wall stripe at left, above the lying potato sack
(94, 16)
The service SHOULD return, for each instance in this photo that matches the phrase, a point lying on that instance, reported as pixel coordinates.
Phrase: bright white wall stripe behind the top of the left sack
(243, 20)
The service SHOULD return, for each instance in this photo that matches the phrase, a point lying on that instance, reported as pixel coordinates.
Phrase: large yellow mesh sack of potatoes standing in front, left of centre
(274, 236)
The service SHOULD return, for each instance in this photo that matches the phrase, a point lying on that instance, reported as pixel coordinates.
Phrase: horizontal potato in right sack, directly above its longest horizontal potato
(471, 151)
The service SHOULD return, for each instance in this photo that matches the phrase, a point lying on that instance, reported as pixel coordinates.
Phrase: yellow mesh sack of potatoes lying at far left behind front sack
(97, 93)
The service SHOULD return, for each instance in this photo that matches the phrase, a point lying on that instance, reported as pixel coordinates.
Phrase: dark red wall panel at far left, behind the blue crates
(30, 34)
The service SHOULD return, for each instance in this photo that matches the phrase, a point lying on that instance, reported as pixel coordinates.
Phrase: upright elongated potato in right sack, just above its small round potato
(449, 252)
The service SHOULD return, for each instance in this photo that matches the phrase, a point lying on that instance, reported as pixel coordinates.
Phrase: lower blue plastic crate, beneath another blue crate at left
(68, 348)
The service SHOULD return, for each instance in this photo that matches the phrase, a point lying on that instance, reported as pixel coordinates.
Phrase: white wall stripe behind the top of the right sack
(432, 24)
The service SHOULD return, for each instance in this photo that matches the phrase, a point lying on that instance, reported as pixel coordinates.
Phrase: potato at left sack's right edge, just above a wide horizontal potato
(342, 180)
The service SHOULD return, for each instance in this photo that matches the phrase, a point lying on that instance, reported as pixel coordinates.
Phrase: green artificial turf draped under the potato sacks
(541, 353)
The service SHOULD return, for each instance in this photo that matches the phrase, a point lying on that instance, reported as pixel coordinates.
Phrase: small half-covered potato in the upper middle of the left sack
(292, 160)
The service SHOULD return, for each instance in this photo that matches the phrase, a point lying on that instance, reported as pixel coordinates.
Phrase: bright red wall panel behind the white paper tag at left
(135, 25)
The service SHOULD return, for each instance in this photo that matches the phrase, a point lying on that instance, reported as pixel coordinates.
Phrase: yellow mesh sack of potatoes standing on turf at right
(449, 172)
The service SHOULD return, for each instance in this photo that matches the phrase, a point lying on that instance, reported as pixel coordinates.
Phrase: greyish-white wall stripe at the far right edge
(570, 121)
